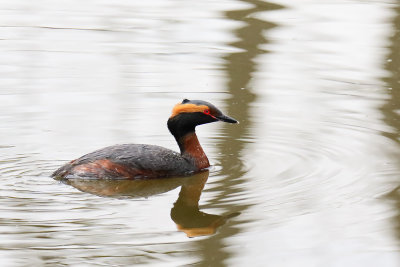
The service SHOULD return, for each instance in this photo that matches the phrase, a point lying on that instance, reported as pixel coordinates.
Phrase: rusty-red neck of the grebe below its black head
(191, 149)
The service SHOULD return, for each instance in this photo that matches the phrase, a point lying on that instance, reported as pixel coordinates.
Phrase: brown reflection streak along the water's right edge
(392, 106)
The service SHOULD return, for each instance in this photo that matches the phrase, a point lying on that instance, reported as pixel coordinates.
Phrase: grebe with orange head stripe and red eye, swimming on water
(130, 161)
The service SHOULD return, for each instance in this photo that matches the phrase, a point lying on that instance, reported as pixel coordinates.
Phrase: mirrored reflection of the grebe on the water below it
(185, 213)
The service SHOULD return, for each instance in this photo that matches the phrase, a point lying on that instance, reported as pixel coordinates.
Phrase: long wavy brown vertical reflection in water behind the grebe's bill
(239, 67)
